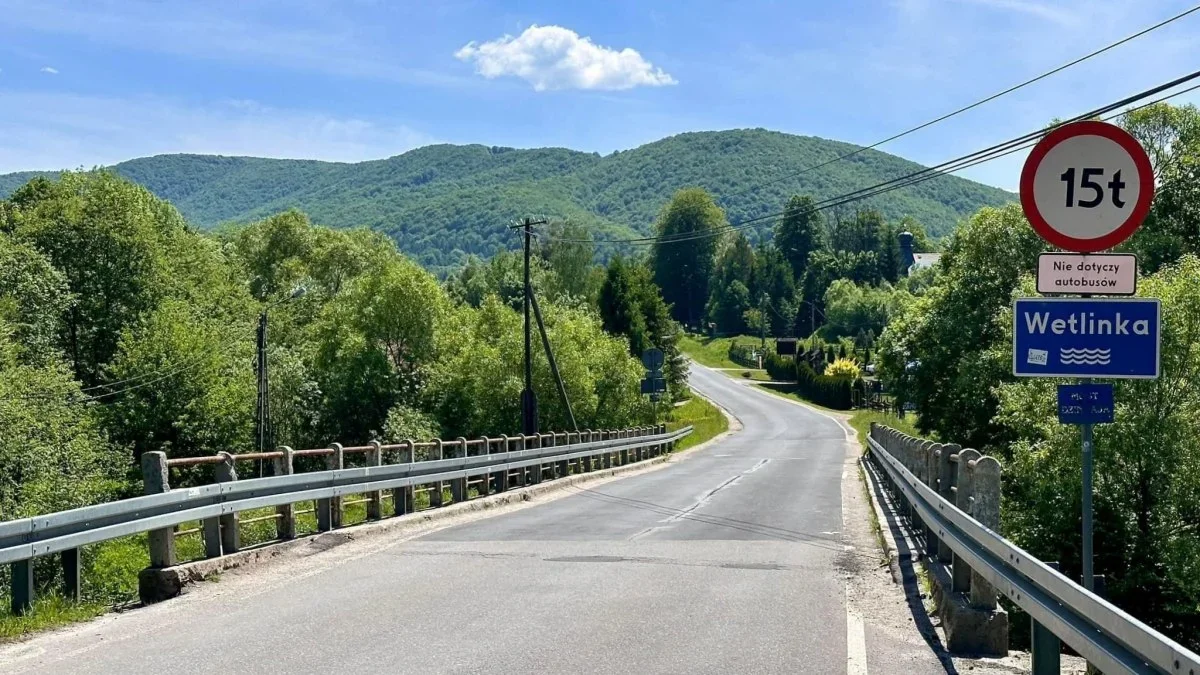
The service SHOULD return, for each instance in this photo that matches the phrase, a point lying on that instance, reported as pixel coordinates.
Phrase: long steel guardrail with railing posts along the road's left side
(218, 505)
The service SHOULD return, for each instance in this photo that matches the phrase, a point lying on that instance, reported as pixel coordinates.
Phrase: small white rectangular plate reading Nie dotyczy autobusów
(1100, 274)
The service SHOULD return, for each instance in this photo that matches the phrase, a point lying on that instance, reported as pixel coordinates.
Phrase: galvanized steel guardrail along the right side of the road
(1107, 637)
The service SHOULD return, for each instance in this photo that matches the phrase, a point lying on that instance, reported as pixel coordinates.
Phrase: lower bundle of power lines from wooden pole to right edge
(951, 166)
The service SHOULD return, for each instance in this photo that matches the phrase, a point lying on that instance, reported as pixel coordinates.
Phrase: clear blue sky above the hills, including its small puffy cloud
(86, 83)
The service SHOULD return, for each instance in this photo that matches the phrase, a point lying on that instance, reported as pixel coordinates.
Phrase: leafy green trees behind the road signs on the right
(950, 354)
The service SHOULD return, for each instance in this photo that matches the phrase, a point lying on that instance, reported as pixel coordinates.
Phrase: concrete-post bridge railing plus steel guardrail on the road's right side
(952, 497)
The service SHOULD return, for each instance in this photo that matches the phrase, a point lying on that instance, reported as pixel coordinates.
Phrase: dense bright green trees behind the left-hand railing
(123, 330)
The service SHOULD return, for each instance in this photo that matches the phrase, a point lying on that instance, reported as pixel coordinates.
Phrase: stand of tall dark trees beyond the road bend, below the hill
(845, 274)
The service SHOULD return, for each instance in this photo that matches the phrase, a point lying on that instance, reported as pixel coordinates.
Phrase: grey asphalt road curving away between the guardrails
(730, 560)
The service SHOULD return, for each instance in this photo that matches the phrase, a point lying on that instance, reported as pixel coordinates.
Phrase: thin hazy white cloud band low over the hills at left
(52, 132)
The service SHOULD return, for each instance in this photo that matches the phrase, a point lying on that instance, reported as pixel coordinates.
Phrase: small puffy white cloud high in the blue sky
(557, 58)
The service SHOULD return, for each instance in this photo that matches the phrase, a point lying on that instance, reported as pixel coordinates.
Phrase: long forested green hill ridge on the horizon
(443, 202)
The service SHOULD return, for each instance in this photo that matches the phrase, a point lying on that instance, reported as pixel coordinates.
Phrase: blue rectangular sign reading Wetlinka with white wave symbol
(1087, 338)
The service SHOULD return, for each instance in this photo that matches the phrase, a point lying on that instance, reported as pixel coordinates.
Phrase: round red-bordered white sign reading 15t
(1087, 187)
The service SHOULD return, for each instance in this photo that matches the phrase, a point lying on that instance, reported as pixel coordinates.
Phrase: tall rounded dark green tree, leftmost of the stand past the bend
(683, 254)
